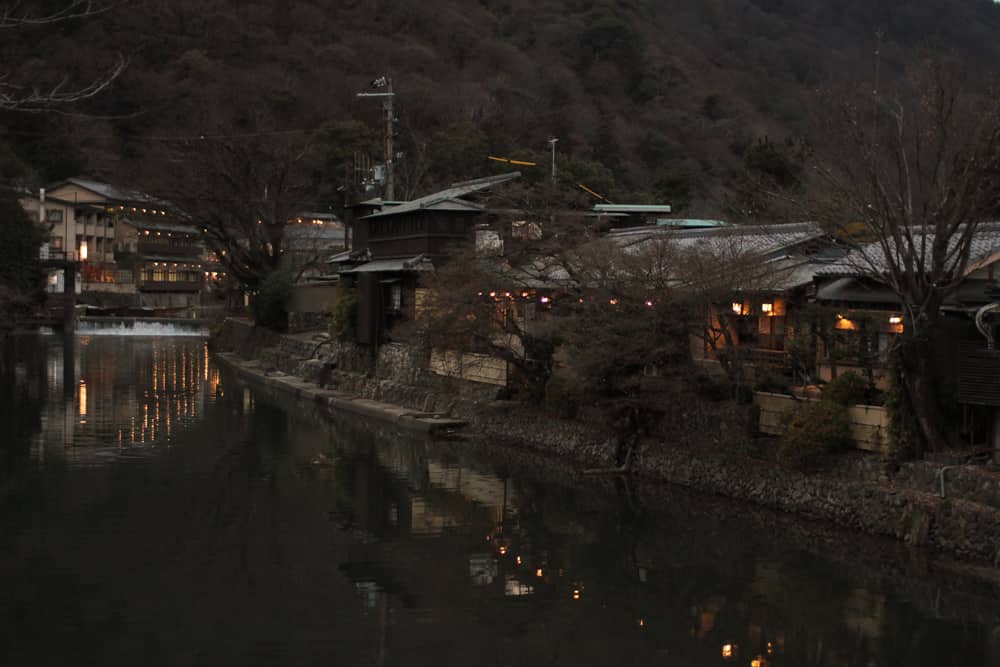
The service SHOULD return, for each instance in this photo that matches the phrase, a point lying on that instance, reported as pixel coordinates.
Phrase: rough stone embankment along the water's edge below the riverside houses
(862, 494)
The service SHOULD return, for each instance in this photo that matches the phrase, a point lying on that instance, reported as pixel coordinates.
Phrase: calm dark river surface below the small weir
(154, 511)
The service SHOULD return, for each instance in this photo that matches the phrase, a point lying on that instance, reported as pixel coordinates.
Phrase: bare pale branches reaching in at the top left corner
(15, 95)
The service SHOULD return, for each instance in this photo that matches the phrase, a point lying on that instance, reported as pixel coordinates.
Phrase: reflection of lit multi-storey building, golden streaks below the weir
(106, 392)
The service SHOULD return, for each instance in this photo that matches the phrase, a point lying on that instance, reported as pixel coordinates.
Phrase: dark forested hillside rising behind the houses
(649, 98)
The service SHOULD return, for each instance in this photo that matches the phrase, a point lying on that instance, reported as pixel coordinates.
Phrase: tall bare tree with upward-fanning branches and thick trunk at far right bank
(917, 173)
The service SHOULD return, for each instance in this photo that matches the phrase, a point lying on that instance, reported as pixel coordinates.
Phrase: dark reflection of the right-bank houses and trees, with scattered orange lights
(614, 580)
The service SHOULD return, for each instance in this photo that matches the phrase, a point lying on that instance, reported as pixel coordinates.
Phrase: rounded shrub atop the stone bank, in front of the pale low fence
(813, 432)
